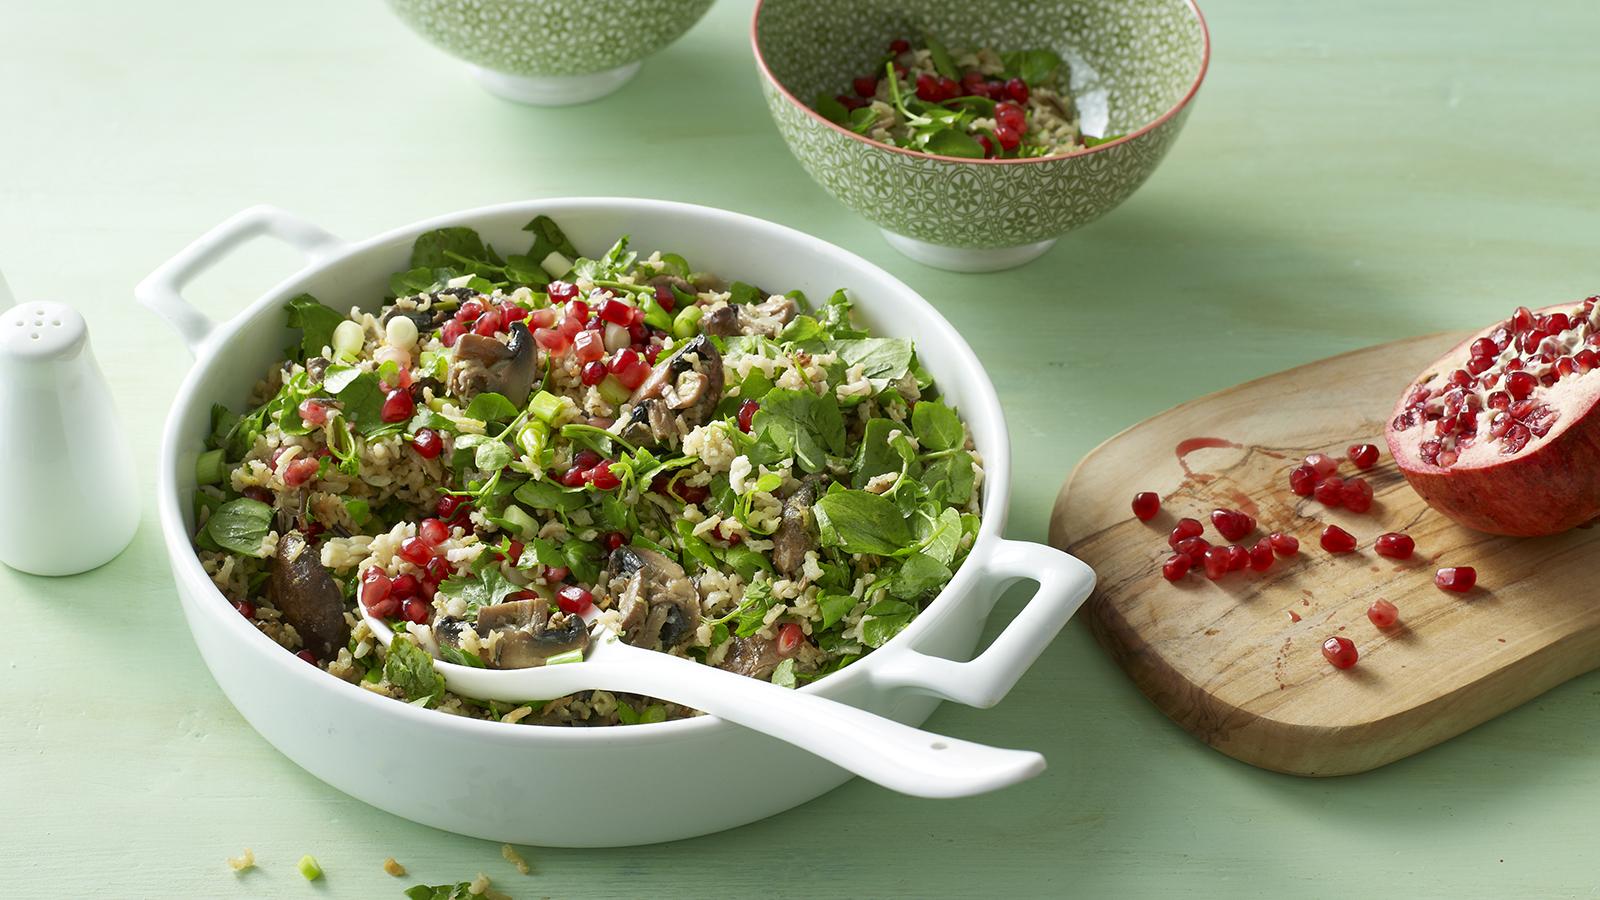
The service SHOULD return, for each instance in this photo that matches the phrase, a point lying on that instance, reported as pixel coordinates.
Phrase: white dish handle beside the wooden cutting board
(1065, 582)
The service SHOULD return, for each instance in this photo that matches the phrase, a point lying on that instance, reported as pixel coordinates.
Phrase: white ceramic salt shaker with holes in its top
(66, 475)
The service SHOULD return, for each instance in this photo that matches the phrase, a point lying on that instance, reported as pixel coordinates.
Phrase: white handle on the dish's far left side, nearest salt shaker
(162, 289)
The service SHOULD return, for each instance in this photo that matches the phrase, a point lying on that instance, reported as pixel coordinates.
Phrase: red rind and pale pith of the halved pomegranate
(1548, 488)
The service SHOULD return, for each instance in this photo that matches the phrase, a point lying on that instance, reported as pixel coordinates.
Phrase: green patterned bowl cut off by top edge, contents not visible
(551, 52)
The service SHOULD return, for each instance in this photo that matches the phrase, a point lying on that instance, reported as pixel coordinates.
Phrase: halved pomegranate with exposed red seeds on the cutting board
(1500, 435)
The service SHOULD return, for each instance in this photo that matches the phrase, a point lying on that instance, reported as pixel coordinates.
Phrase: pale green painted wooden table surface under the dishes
(1354, 172)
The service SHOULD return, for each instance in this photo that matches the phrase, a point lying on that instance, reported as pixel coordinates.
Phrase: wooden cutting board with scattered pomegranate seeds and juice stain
(1239, 662)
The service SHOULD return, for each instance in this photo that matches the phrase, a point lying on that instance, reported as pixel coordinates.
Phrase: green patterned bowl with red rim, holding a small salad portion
(1135, 68)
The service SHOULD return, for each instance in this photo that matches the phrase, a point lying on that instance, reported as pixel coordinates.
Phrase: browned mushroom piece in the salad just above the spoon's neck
(657, 601)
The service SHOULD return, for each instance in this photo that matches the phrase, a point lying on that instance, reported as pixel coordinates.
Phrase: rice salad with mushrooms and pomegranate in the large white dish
(513, 444)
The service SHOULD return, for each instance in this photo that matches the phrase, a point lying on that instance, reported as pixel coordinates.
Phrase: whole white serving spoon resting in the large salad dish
(881, 750)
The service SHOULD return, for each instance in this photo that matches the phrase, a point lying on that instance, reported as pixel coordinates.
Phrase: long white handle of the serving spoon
(881, 750)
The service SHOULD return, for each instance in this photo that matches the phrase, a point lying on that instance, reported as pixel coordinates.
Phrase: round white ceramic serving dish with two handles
(612, 790)
